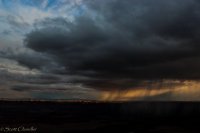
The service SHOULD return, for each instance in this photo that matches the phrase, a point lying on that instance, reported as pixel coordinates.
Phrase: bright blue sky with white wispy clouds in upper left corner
(19, 15)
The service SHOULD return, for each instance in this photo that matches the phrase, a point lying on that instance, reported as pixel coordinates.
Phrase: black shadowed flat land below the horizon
(129, 117)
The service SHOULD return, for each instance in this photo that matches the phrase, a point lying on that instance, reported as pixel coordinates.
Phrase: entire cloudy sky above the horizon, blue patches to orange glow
(104, 50)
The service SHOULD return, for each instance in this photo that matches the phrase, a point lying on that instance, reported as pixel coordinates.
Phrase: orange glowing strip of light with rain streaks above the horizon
(184, 91)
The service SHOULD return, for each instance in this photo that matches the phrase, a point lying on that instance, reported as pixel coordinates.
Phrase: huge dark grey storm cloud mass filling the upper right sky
(132, 39)
